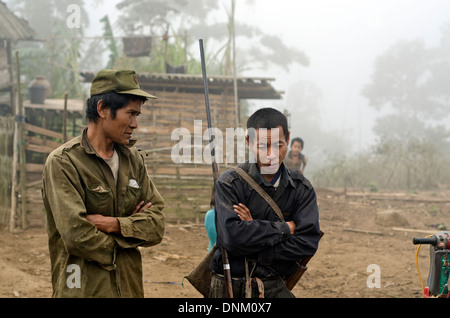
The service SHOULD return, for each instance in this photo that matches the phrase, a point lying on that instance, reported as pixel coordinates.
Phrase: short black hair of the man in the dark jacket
(267, 118)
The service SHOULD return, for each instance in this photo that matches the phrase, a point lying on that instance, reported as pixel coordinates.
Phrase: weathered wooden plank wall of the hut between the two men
(186, 187)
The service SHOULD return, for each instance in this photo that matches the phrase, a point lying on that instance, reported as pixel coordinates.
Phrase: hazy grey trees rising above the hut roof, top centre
(202, 19)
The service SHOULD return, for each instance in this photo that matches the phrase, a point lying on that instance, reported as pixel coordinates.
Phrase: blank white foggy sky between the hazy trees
(342, 40)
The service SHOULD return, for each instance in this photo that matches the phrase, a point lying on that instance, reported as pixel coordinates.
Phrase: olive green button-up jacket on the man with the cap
(86, 262)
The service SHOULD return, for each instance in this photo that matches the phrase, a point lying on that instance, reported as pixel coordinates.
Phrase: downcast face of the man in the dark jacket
(269, 147)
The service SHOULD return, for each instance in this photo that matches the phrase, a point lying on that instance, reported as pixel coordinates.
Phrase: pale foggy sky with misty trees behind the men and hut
(323, 54)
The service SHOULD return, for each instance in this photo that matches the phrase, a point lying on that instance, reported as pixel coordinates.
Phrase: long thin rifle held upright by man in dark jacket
(225, 261)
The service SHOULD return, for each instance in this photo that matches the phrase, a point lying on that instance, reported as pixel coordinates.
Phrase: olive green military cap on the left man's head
(119, 81)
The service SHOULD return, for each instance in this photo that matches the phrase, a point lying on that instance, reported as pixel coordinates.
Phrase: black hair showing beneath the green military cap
(111, 100)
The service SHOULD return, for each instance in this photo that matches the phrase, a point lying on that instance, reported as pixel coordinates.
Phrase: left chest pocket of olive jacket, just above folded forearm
(99, 200)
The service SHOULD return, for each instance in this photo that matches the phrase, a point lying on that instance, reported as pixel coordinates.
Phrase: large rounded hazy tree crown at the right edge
(409, 80)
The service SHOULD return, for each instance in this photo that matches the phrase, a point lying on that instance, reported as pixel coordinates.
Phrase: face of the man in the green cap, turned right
(120, 128)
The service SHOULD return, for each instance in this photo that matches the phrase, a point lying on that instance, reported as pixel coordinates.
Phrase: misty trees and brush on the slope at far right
(409, 86)
